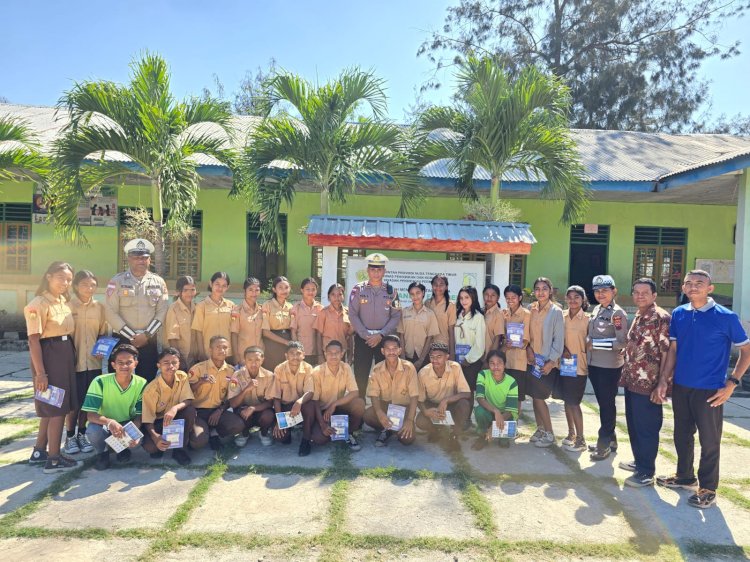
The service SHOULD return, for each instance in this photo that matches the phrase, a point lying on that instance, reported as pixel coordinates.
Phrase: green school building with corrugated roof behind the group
(661, 205)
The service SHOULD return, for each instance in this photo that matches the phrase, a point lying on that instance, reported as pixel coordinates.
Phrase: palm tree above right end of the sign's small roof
(509, 124)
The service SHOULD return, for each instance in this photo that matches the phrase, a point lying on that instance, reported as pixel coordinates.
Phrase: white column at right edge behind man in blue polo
(741, 296)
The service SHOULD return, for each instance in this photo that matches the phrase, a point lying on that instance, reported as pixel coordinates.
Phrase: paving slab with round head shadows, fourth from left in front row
(579, 515)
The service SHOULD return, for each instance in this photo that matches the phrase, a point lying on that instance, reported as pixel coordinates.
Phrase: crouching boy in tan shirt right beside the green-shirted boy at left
(167, 398)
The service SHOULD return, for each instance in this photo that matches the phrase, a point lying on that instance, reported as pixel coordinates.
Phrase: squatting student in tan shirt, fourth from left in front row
(251, 397)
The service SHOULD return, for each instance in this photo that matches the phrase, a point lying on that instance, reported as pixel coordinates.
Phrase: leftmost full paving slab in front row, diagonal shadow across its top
(118, 498)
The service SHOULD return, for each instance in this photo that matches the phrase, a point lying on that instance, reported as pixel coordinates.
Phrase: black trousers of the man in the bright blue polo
(691, 412)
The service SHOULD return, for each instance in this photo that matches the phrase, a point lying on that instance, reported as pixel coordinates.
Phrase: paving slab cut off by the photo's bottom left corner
(73, 550)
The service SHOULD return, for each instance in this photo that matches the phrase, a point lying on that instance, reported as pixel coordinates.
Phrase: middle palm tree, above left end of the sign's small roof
(325, 147)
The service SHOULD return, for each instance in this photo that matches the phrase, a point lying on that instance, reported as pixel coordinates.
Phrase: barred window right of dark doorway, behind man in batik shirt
(660, 254)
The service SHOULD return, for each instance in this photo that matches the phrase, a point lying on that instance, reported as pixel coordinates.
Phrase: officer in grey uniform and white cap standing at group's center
(374, 312)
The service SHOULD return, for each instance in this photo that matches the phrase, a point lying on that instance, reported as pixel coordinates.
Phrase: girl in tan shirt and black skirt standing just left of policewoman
(572, 388)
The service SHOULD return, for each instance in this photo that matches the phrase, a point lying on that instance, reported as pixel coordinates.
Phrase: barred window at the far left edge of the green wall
(15, 237)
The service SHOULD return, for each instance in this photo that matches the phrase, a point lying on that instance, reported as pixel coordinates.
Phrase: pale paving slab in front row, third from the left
(409, 509)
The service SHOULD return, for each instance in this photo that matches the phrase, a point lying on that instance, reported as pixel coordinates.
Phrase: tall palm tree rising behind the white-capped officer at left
(160, 136)
